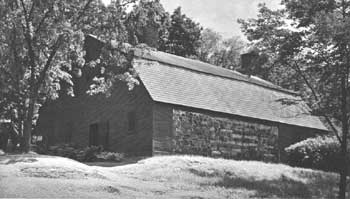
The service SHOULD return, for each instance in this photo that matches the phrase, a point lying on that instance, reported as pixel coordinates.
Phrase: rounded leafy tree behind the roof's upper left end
(148, 23)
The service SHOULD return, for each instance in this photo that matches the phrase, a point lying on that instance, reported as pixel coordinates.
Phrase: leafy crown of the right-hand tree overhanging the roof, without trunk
(303, 58)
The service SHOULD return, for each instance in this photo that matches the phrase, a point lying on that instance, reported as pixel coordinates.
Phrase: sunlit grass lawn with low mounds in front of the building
(191, 177)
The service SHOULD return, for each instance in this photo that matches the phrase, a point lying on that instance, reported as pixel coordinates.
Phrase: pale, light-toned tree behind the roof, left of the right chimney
(220, 52)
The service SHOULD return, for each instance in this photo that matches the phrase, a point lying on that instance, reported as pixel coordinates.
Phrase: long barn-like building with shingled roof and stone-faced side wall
(183, 106)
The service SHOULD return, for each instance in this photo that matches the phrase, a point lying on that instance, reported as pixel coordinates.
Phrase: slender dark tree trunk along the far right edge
(345, 128)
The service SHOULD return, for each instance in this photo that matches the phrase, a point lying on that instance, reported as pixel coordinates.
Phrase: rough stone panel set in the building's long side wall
(201, 134)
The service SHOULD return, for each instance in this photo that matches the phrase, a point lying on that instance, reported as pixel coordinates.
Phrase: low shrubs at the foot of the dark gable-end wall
(87, 154)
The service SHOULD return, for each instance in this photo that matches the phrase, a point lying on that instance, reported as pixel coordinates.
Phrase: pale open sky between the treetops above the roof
(219, 15)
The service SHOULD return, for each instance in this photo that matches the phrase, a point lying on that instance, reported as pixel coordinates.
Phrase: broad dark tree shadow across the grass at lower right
(314, 185)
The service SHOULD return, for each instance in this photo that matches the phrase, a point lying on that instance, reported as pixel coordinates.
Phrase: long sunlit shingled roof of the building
(176, 80)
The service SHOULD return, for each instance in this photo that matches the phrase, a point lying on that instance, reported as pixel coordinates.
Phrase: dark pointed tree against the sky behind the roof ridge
(184, 35)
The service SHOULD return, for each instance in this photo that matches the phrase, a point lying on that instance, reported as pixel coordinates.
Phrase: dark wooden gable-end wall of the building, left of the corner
(111, 116)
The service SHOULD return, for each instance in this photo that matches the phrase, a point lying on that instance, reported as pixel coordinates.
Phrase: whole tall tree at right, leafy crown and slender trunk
(309, 41)
